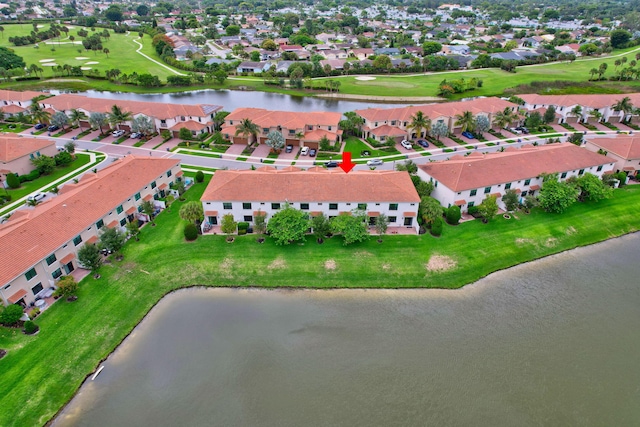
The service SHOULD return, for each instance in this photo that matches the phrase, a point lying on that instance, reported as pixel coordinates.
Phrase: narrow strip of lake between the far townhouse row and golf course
(230, 100)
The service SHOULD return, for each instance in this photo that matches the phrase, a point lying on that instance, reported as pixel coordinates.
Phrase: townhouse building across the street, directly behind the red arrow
(298, 128)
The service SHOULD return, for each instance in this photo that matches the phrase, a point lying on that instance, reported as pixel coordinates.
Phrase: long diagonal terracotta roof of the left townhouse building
(37, 232)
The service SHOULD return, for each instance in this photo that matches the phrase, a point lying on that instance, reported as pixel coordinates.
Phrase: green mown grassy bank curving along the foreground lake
(40, 373)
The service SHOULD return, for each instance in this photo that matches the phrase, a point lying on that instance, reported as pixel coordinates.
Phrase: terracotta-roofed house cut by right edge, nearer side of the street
(624, 150)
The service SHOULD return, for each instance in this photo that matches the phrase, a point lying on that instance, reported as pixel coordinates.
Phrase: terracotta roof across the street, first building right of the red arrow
(448, 109)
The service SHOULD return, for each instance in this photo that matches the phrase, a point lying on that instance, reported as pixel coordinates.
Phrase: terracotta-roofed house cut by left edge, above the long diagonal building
(16, 153)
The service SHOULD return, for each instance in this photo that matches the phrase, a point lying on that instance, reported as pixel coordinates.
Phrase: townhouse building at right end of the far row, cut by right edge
(592, 107)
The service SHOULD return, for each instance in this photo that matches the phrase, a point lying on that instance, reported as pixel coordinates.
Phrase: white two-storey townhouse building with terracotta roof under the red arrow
(246, 194)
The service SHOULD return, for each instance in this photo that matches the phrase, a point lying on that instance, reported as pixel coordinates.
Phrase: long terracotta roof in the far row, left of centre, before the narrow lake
(66, 102)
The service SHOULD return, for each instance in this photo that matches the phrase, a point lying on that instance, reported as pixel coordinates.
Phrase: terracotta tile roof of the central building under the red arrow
(269, 185)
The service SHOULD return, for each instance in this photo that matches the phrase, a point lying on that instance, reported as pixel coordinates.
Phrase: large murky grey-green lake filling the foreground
(553, 342)
